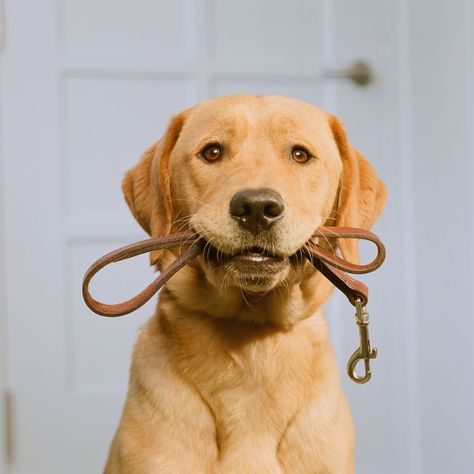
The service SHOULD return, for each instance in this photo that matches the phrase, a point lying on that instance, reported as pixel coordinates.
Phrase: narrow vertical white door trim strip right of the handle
(404, 121)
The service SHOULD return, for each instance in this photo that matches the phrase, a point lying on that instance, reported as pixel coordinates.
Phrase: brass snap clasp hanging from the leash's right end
(363, 352)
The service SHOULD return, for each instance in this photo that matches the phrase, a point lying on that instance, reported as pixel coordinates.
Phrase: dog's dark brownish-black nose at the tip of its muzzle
(256, 209)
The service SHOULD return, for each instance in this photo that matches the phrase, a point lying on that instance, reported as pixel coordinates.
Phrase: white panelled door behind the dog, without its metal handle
(87, 85)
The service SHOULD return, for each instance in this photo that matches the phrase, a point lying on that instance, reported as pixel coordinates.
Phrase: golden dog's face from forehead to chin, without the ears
(255, 177)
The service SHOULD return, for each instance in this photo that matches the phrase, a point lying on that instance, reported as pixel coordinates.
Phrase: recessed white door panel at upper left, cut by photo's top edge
(120, 27)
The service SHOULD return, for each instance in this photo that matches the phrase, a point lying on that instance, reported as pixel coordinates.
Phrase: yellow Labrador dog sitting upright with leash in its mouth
(235, 372)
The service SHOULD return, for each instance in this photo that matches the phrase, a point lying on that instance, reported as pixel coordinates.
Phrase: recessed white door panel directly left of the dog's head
(107, 122)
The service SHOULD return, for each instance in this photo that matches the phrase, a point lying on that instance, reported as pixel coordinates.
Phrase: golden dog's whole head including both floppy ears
(254, 176)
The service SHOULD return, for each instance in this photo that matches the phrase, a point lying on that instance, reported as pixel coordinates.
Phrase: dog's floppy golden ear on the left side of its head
(146, 186)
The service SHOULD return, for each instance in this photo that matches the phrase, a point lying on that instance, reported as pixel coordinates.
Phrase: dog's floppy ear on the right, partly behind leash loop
(362, 194)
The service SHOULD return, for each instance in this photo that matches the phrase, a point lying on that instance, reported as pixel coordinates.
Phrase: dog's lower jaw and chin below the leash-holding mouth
(253, 270)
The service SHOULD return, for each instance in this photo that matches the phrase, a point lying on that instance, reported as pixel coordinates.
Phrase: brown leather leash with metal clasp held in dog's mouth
(334, 268)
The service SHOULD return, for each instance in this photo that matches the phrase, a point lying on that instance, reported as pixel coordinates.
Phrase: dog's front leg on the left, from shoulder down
(166, 427)
